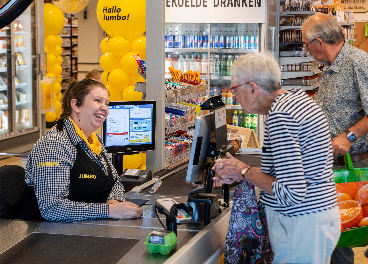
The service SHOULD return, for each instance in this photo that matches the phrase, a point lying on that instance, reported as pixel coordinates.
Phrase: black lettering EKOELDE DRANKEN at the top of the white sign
(216, 3)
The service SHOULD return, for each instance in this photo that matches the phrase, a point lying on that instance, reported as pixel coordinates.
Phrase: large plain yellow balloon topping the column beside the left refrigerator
(53, 19)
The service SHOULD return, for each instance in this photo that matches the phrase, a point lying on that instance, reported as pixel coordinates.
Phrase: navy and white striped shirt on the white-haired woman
(297, 152)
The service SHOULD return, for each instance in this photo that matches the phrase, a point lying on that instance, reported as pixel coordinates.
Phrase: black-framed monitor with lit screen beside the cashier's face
(130, 126)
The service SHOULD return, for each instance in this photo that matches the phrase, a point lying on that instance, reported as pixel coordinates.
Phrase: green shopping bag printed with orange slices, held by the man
(352, 198)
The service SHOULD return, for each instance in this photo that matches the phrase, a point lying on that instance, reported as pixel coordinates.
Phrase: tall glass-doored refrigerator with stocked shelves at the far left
(20, 74)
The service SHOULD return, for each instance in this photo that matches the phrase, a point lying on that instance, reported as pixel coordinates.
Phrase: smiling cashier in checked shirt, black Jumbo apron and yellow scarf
(68, 175)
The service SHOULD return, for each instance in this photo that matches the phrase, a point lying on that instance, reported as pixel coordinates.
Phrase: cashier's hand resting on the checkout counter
(122, 210)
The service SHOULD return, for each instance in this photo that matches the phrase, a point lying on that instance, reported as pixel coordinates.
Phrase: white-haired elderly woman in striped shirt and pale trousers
(296, 179)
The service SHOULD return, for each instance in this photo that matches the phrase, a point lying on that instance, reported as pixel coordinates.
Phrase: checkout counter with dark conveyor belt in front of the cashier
(117, 241)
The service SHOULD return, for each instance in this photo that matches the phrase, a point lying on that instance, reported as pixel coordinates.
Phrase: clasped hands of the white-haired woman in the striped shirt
(229, 170)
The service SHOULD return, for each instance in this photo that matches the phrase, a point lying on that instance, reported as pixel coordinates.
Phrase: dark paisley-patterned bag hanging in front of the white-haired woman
(247, 223)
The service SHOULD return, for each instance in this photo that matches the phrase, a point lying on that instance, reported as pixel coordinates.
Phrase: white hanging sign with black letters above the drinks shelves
(215, 11)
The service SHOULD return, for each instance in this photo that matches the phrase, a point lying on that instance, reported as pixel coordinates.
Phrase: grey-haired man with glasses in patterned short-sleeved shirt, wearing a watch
(342, 95)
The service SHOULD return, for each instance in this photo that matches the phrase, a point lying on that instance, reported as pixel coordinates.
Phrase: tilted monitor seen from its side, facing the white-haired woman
(208, 141)
